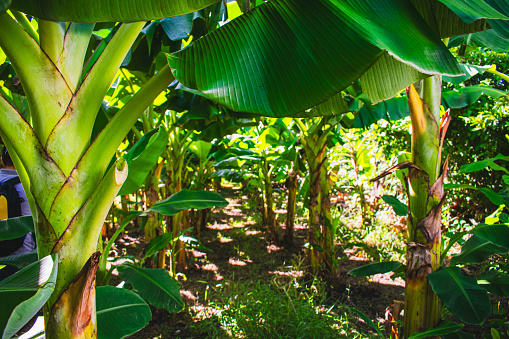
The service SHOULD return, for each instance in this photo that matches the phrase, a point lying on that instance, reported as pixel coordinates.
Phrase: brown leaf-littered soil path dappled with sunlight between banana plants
(239, 251)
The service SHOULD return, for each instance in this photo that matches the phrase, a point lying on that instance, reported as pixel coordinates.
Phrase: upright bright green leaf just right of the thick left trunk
(142, 158)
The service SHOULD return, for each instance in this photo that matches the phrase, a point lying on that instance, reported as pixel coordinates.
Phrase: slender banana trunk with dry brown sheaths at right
(426, 197)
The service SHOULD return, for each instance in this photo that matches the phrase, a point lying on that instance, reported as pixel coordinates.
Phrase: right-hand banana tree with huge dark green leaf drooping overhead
(274, 91)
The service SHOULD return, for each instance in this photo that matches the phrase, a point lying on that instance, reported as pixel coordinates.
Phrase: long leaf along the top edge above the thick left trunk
(108, 10)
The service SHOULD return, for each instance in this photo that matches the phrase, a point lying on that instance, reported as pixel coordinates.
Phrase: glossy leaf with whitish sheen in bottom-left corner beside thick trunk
(24, 293)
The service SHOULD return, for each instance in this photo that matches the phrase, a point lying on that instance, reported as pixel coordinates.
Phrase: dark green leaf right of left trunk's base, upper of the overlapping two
(155, 286)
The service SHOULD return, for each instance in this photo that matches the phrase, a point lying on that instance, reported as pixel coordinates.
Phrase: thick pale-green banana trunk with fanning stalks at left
(64, 173)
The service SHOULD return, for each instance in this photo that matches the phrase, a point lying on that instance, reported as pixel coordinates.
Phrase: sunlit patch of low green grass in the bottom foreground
(274, 310)
